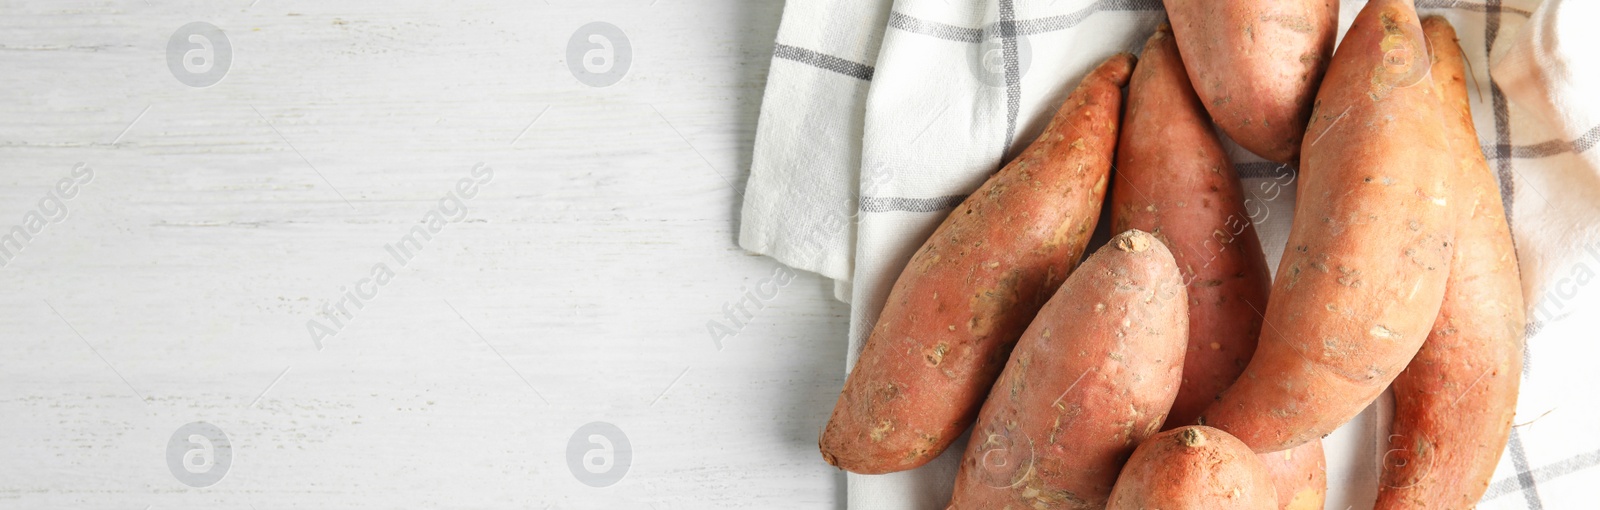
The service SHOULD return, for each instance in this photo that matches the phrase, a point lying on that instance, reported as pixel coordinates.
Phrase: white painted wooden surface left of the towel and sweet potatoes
(578, 289)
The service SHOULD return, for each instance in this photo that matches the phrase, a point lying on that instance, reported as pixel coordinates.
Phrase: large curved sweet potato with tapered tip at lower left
(1364, 273)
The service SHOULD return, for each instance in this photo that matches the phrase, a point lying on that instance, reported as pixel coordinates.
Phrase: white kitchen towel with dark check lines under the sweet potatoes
(943, 92)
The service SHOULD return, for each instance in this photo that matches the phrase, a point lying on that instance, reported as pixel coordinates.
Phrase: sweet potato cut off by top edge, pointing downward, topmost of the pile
(1257, 65)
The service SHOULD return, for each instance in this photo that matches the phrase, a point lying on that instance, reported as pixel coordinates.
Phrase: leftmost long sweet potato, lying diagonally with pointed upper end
(969, 293)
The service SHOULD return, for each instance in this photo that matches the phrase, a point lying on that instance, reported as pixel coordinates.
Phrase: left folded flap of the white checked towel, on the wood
(801, 199)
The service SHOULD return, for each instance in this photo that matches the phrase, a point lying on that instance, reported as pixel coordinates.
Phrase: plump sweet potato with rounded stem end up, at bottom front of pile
(1090, 380)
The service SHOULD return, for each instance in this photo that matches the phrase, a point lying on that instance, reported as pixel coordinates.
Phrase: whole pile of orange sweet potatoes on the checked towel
(1170, 370)
